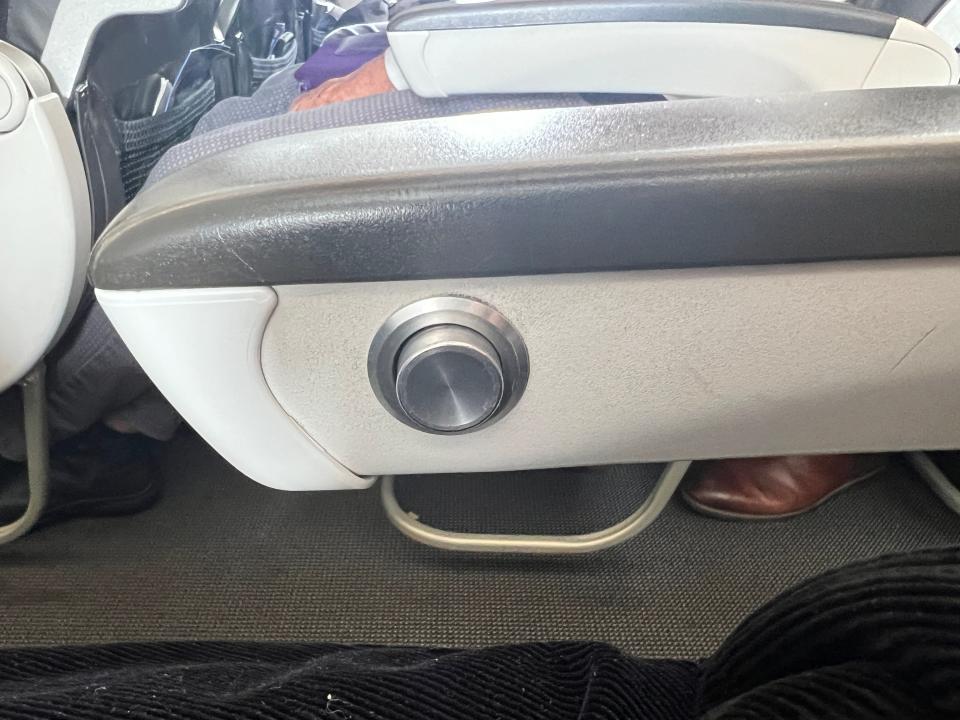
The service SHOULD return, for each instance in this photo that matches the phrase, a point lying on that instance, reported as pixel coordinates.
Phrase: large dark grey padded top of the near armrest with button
(836, 176)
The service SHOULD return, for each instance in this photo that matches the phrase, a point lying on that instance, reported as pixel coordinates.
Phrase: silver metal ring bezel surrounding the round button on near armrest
(448, 310)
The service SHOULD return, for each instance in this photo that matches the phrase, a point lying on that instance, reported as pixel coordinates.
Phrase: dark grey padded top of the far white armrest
(815, 14)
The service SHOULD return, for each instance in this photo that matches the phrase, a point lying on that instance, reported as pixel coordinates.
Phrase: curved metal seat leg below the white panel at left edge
(38, 454)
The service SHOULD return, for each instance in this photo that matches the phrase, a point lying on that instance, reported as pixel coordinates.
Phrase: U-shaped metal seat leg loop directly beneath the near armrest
(651, 508)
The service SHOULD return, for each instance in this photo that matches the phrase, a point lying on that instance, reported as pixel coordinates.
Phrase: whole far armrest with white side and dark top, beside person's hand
(668, 47)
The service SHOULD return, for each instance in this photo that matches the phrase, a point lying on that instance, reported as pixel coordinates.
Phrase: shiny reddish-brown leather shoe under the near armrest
(773, 488)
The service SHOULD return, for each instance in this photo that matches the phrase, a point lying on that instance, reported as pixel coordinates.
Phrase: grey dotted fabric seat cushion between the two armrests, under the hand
(242, 120)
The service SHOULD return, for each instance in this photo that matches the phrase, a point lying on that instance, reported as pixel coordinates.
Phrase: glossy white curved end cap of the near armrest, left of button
(202, 350)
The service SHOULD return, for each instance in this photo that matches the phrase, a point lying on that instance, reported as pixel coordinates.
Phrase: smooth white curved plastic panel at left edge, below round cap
(45, 238)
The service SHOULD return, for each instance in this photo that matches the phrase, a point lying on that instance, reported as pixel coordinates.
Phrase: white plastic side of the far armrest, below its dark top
(676, 58)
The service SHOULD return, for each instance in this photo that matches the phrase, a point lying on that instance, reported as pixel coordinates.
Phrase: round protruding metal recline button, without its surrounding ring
(449, 379)
